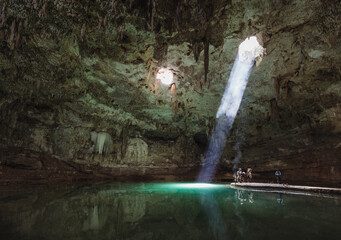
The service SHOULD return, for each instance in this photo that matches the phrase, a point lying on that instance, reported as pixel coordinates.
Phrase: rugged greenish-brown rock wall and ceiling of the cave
(70, 68)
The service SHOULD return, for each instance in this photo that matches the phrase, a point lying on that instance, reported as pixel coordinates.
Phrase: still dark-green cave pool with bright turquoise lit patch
(165, 211)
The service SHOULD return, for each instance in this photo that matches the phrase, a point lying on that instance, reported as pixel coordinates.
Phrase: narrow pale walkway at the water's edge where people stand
(288, 187)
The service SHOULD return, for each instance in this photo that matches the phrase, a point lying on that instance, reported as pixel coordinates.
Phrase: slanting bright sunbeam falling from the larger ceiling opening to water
(247, 52)
